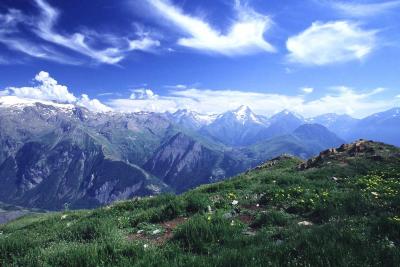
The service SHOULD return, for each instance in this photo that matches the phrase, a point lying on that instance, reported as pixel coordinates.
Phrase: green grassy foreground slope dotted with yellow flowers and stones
(284, 216)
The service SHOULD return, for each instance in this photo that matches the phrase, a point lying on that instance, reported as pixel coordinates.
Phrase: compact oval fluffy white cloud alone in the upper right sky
(331, 42)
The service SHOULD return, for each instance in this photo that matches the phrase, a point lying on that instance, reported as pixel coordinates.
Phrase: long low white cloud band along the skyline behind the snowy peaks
(341, 100)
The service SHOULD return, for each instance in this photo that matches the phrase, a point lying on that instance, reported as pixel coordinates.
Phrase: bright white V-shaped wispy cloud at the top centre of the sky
(246, 34)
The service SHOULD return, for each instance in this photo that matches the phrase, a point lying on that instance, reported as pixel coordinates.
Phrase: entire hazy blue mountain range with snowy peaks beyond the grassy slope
(57, 155)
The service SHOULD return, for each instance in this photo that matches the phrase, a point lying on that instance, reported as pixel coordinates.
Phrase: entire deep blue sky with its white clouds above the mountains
(311, 56)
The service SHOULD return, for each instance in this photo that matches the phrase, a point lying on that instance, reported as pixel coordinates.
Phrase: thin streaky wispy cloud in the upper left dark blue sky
(43, 26)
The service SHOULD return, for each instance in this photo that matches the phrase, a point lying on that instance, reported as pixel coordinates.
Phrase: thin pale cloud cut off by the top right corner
(356, 9)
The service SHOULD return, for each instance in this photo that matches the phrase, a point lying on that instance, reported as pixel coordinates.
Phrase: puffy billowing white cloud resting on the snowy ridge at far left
(47, 88)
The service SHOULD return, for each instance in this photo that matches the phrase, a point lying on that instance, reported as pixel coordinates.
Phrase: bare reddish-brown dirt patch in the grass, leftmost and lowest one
(159, 239)
